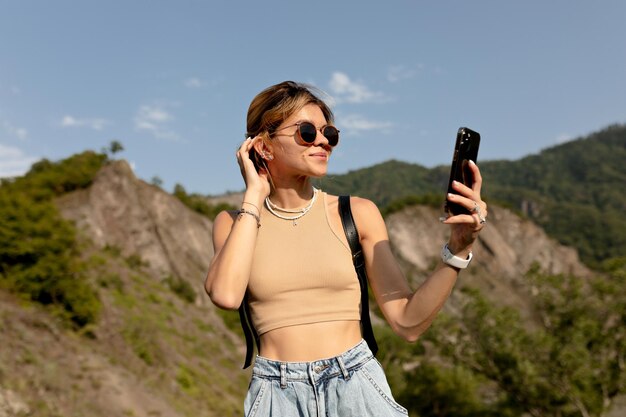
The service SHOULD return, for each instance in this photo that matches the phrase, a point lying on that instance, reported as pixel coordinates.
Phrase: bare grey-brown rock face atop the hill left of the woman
(141, 219)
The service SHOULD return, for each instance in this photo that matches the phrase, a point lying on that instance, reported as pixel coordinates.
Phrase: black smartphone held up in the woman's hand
(465, 150)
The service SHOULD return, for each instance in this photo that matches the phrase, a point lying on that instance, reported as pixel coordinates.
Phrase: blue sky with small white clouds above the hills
(172, 80)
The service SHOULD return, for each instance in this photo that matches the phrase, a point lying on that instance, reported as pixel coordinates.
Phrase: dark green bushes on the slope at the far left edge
(38, 258)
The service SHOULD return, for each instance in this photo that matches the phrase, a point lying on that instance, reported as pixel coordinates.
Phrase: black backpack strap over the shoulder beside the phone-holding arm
(359, 264)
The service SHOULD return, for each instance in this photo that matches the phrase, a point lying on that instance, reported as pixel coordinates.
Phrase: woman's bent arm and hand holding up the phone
(409, 312)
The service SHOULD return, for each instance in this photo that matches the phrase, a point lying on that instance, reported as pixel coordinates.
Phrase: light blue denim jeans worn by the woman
(352, 384)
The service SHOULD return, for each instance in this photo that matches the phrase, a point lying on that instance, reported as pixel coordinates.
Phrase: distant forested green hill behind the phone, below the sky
(573, 190)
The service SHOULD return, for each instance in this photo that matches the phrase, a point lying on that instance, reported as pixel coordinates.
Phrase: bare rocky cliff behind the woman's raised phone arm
(505, 251)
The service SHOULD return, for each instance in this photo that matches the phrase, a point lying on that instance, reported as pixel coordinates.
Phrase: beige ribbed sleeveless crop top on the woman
(301, 274)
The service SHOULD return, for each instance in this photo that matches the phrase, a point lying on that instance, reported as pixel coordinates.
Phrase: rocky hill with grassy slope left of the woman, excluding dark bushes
(157, 348)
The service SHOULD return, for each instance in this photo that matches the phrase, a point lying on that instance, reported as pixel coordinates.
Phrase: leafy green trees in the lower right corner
(571, 363)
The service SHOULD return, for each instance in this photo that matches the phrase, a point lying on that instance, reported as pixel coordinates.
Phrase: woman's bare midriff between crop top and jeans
(310, 342)
